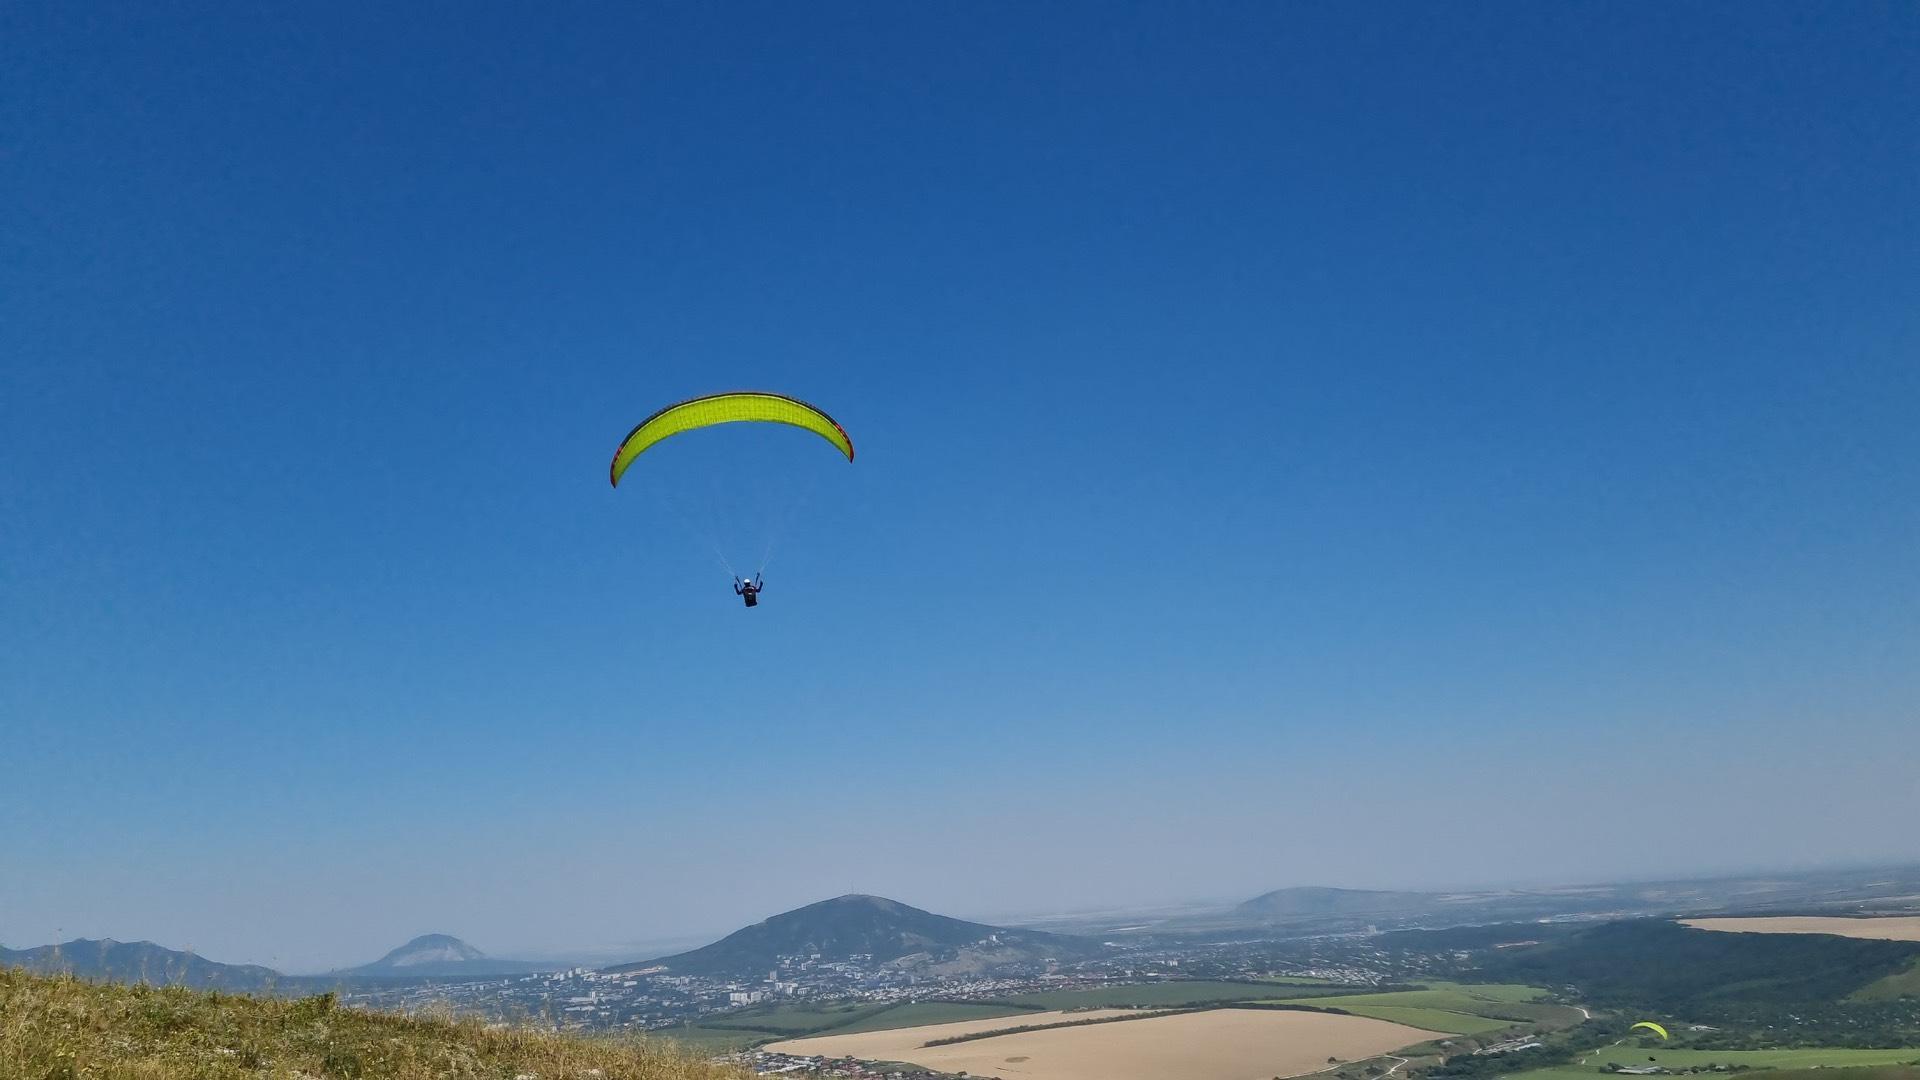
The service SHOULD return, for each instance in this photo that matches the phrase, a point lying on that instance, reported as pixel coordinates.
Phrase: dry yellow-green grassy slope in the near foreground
(64, 1029)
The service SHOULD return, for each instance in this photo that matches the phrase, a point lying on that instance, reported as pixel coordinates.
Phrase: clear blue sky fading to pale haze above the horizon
(1437, 414)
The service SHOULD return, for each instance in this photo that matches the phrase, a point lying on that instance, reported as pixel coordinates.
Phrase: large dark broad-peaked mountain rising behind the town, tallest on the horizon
(880, 933)
